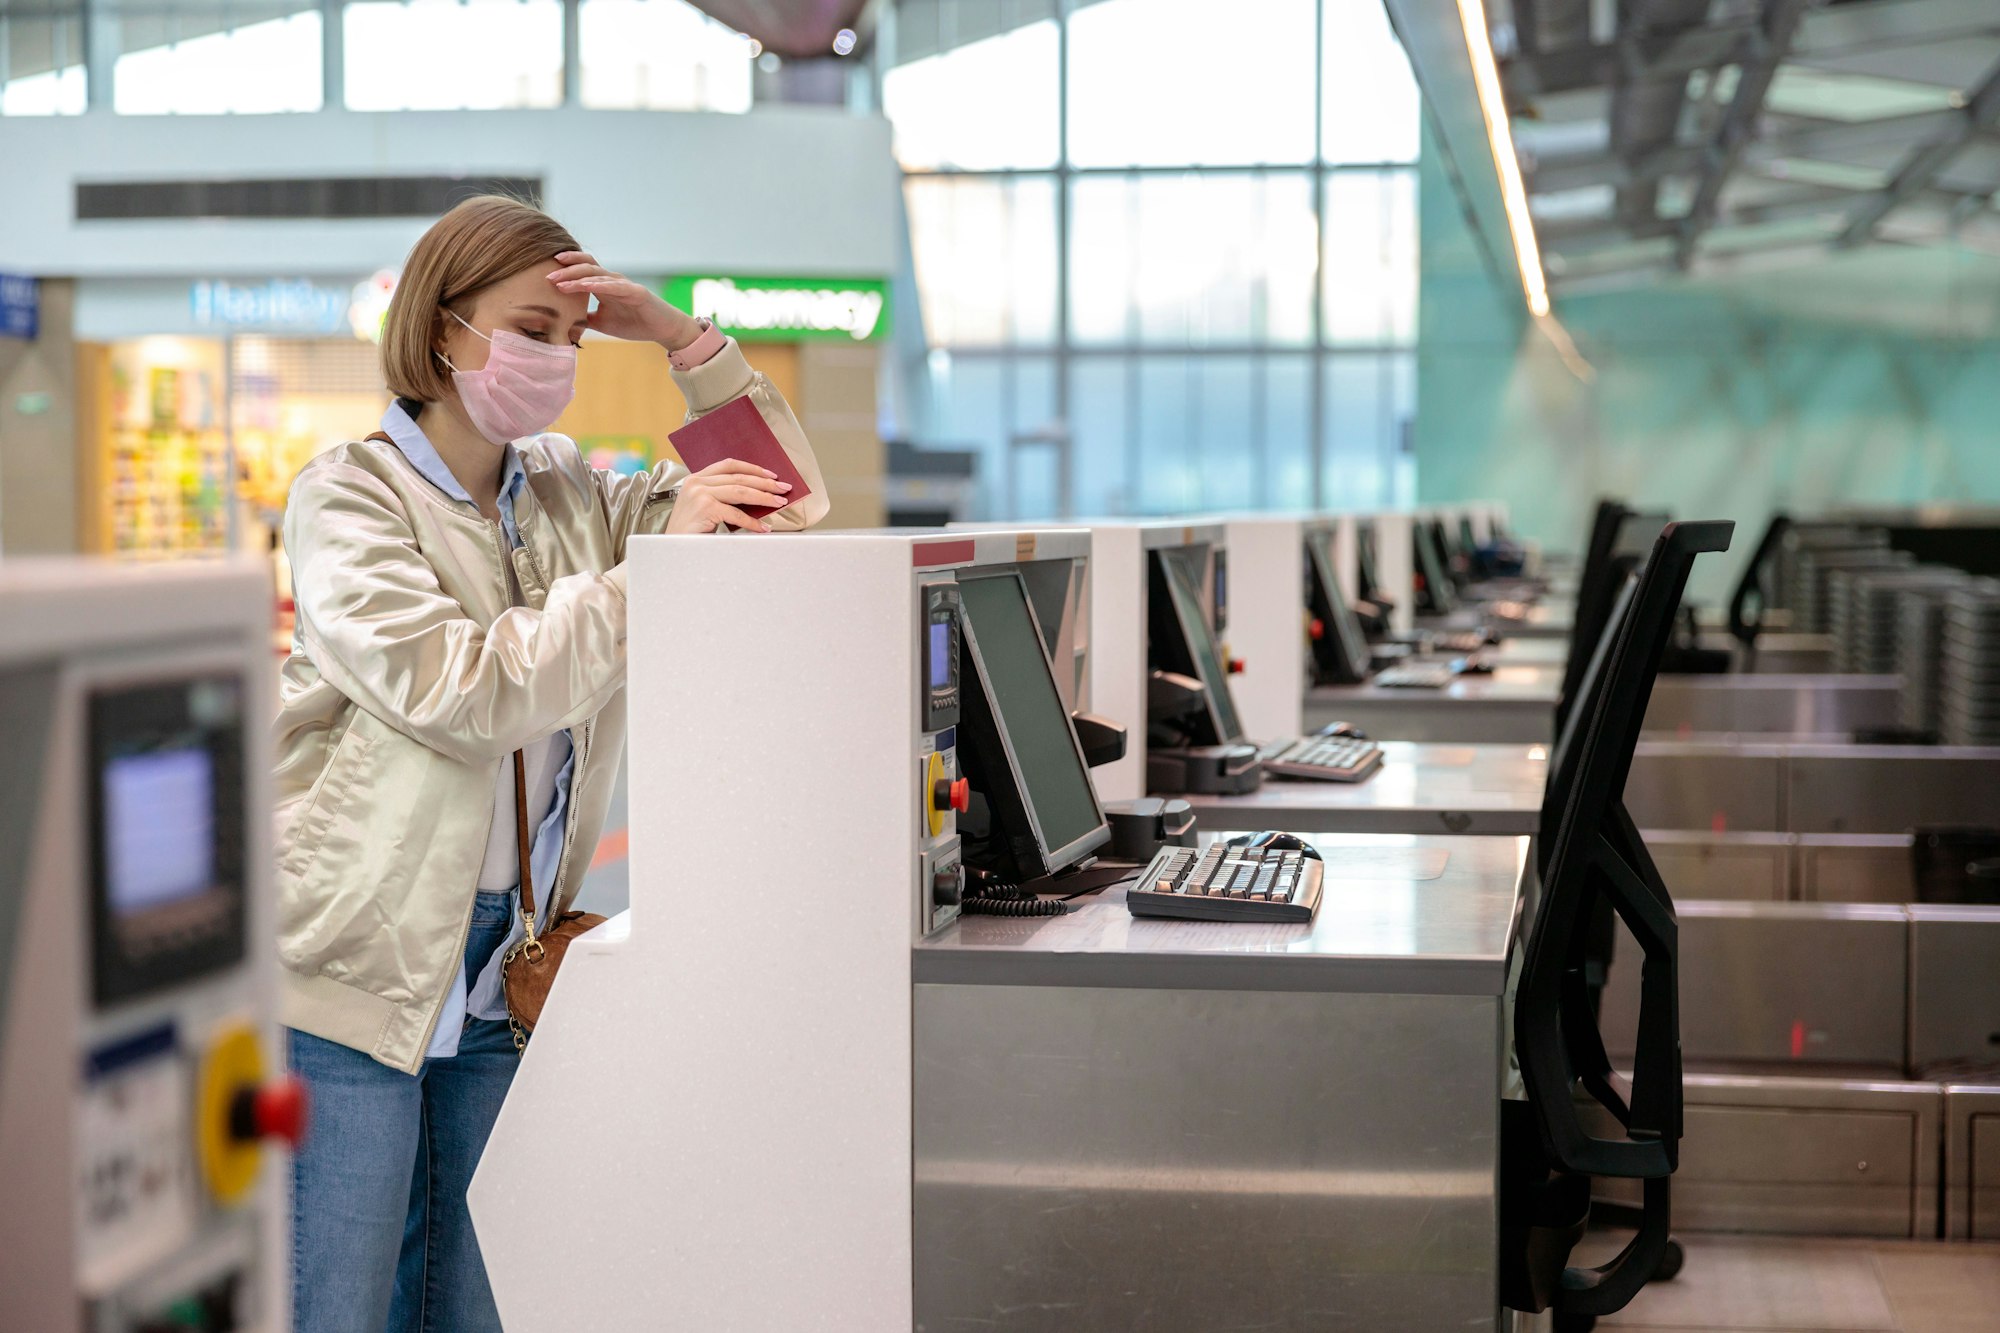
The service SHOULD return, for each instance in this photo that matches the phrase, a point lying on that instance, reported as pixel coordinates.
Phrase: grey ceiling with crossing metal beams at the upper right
(1671, 137)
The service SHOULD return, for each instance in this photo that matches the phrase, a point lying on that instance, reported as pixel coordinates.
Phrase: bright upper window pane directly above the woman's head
(453, 55)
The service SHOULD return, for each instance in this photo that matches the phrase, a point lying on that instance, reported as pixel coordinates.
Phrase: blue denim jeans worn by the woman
(381, 1234)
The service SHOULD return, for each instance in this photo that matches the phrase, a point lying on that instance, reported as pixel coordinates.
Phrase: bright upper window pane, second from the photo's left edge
(217, 57)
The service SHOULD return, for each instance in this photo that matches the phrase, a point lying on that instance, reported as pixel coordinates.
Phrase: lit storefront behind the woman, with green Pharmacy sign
(201, 401)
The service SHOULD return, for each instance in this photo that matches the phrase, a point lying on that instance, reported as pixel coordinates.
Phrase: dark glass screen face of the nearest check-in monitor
(1033, 720)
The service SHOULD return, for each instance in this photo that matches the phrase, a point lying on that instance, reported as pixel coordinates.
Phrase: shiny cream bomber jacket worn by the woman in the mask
(413, 680)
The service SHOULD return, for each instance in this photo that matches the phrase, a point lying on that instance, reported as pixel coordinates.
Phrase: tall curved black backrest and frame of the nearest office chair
(1597, 854)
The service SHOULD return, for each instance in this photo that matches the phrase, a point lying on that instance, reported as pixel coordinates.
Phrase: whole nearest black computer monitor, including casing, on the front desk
(1021, 748)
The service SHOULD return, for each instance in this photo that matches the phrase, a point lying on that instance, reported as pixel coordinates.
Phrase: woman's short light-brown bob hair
(479, 243)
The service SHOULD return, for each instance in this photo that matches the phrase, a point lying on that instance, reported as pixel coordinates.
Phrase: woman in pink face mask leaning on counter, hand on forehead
(461, 597)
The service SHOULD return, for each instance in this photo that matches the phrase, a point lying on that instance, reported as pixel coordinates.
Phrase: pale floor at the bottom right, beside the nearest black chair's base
(1817, 1286)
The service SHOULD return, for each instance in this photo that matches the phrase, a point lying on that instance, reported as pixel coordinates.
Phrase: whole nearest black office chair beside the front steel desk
(1547, 1156)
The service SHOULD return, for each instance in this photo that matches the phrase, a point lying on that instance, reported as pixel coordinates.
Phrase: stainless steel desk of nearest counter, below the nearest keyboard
(1135, 1126)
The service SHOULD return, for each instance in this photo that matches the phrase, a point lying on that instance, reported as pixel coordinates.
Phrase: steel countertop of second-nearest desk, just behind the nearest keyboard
(1421, 788)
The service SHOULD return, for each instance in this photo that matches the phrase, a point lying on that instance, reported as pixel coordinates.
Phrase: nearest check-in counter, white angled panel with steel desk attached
(793, 1064)
